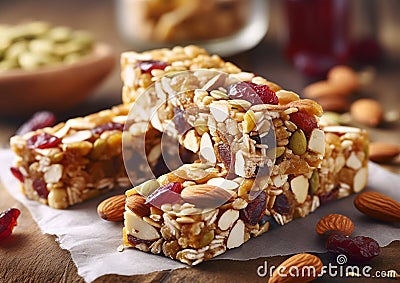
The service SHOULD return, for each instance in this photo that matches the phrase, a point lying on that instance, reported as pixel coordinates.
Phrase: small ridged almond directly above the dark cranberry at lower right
(335, 223)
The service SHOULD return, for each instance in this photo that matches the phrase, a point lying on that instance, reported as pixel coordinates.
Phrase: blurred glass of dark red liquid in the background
(318, 34)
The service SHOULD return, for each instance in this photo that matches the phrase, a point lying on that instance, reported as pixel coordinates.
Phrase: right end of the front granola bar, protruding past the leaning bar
(344, 169)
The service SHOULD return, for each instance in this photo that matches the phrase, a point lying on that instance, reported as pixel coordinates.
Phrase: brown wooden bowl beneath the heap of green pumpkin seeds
(56, 88)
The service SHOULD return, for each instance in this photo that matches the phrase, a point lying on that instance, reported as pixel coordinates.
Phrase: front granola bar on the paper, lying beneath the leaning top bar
(197, 211)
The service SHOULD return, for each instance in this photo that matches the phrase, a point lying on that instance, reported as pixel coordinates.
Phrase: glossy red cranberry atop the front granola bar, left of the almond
(169, 193)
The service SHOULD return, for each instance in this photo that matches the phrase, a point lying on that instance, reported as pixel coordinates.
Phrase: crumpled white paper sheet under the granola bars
(93, 242)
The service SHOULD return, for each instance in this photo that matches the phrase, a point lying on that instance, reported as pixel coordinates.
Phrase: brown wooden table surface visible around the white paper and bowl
(30, 256)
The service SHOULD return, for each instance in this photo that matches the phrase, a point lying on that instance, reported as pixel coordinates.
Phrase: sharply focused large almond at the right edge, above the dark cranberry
(378, 206)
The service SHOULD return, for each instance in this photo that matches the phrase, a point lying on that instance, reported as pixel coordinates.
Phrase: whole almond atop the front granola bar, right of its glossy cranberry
(205, 195)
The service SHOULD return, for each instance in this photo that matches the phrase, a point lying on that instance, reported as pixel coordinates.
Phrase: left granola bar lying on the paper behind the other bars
(77, 160)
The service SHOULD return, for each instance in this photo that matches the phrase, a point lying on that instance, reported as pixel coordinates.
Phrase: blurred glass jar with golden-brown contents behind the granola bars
(225, 27)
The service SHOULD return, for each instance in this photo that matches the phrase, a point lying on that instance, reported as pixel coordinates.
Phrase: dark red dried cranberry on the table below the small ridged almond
(358, 249)
